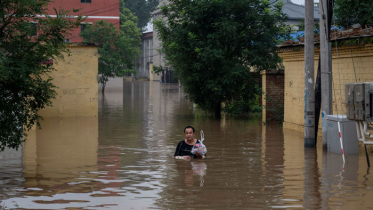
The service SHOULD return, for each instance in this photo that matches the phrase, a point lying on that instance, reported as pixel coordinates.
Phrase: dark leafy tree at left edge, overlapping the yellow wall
(25, 86)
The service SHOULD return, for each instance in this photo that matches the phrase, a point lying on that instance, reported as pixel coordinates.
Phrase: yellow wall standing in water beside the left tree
(76, 81)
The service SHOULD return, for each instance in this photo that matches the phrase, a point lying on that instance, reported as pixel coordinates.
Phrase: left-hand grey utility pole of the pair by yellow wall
(309, 75)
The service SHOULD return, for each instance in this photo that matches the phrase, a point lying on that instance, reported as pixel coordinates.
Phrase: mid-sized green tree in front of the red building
(118, 50)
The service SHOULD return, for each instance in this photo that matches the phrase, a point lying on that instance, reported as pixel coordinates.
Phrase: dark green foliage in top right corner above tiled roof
(349, 12)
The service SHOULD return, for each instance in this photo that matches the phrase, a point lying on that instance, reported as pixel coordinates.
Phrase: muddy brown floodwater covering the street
(122, 160)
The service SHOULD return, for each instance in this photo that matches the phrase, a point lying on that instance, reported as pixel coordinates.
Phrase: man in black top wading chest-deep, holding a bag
(184, 148)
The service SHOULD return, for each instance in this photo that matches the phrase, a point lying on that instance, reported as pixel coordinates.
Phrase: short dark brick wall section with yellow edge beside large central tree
(273, 100)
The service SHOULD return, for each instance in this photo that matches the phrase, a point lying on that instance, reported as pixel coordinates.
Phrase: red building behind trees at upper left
(94, 10)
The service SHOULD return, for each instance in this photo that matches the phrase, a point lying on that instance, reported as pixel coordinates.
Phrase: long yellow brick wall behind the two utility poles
(349, 58)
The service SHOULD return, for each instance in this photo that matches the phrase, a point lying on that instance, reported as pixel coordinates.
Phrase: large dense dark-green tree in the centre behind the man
(215, 45)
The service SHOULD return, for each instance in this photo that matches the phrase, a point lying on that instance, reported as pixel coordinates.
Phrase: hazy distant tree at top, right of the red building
(142, 9)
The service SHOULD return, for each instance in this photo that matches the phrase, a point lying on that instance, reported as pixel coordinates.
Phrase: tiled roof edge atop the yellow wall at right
(336, 34)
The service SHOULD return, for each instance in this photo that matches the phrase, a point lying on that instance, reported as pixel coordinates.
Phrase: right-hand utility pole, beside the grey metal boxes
(326, 69)
